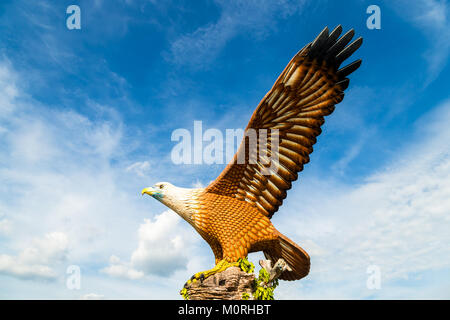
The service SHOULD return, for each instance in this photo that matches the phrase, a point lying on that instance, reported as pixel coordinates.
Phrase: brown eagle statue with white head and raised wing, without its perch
(233, 212)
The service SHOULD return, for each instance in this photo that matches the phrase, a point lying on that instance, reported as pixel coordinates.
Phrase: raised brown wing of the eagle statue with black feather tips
(305, 92)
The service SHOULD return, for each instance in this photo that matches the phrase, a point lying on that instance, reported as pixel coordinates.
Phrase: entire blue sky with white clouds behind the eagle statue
(86, 118)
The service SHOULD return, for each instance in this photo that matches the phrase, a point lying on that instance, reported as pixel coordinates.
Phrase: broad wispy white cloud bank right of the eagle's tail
(397, 219)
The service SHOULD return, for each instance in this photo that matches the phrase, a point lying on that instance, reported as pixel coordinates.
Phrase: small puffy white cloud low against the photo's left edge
(35, 262)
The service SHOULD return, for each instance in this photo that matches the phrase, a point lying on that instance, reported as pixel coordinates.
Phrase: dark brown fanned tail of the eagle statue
(295, 257)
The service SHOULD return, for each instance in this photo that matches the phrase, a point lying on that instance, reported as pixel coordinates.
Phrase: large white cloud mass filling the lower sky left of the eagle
(66, 171)
